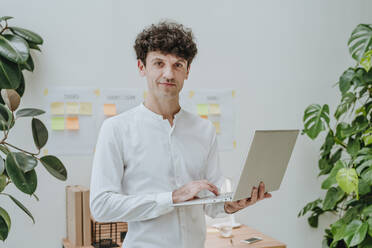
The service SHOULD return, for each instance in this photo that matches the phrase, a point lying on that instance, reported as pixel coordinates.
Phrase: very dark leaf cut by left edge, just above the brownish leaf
(10, 74)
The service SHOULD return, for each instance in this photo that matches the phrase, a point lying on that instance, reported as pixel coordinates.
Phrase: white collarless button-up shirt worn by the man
(139, 161)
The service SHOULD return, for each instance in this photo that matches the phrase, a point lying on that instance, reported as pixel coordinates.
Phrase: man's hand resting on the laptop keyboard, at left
(189, 191)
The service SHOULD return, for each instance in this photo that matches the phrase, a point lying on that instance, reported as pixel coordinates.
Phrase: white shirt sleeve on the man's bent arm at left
(107, 201)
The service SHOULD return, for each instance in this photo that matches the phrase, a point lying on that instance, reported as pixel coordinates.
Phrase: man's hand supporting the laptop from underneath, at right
(257, 194)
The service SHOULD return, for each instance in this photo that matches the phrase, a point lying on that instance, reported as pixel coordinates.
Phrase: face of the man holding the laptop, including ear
(165, 74)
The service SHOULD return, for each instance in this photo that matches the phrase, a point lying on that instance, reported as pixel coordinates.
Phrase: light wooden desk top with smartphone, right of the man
(214, 240)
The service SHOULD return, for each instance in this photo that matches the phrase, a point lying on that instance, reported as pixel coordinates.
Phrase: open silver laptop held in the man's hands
(267, 161)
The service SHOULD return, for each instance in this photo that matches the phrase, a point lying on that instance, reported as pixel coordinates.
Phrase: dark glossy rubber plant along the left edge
(18, 167)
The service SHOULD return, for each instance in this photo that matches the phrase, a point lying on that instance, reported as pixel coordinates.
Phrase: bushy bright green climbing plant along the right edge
(346, 154)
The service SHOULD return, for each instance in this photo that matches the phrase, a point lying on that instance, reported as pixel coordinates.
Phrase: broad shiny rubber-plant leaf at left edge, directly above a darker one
(14, 48)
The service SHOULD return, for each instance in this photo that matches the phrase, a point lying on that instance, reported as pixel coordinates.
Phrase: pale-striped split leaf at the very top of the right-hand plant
(360, 41)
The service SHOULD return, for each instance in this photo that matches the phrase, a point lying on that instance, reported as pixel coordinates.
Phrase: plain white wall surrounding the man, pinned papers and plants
(280, 56)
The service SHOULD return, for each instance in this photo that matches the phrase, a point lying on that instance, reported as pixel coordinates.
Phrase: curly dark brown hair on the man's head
(168, 38)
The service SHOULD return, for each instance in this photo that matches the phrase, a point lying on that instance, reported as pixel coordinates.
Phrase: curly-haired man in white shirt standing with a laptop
(157, 154)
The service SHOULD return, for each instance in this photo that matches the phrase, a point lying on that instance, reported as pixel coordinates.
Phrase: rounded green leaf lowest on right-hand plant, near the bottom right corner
(355, 232)
